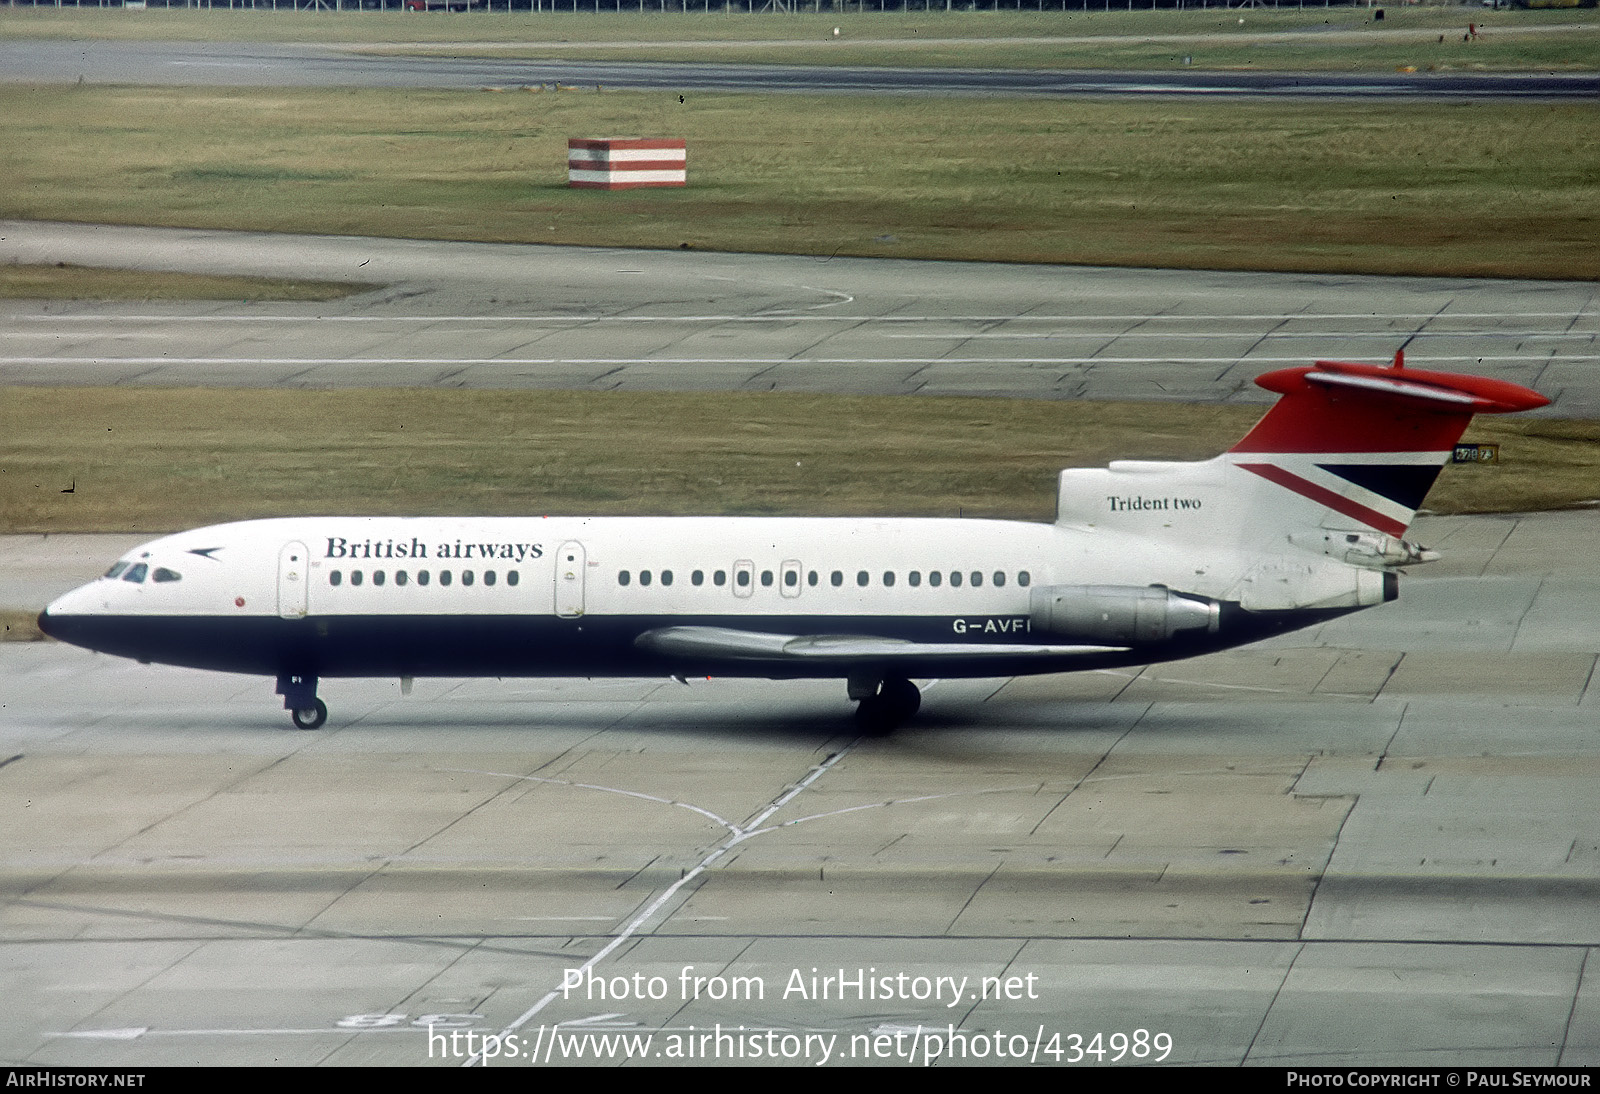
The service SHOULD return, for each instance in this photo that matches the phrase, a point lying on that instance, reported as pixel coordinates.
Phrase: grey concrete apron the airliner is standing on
(1375, 842)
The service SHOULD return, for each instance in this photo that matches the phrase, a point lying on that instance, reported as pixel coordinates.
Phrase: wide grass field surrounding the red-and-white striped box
(1417, 188)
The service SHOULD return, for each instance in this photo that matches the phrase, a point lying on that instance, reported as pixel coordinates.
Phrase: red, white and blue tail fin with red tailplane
(1366, 444)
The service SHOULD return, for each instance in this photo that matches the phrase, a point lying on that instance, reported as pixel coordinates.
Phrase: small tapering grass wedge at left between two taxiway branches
(63, 282)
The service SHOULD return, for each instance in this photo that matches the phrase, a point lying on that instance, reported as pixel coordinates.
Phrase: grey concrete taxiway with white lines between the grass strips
(524, 316)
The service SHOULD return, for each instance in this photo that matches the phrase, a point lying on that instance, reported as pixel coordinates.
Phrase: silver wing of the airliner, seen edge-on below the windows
(727, 644)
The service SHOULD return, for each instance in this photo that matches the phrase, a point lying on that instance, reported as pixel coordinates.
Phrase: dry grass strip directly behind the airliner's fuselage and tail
(161, 460)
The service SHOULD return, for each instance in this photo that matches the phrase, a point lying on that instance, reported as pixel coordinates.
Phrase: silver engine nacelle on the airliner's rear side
(1121, 615)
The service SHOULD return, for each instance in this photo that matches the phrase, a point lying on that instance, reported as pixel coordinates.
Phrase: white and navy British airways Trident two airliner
(1302, 521)
